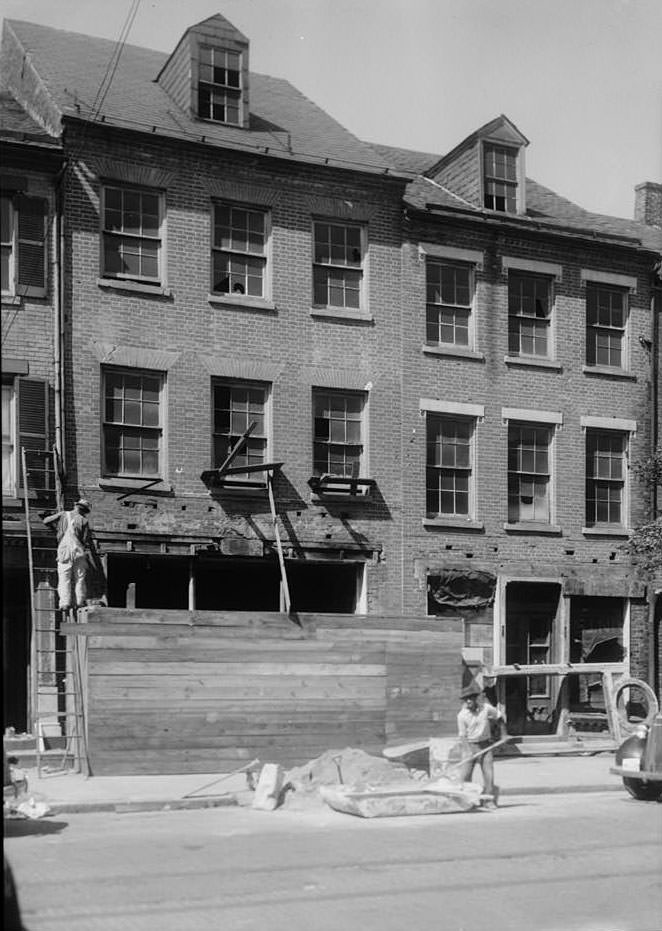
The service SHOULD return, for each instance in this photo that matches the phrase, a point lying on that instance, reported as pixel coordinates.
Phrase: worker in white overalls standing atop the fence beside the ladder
(73, 548)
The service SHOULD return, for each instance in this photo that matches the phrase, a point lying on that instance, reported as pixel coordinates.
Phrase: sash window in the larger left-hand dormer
(219, 86)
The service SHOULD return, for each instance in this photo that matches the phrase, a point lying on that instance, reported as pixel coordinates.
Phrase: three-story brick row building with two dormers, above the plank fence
(438, 369)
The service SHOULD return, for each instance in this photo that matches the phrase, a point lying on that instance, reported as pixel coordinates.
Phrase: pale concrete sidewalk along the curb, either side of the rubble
(68, 792)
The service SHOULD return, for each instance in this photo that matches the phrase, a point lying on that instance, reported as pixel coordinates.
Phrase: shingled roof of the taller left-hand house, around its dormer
(283, 121)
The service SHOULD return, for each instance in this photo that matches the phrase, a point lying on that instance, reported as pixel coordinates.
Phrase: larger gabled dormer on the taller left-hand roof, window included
(207, 75)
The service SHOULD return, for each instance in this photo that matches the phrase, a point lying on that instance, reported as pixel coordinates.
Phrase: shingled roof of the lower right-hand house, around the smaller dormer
(543, 206)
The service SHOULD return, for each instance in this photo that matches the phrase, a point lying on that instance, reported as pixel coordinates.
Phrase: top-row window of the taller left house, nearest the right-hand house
(337, 265)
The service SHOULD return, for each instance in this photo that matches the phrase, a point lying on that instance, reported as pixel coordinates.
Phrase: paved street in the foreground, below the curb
(556, 863)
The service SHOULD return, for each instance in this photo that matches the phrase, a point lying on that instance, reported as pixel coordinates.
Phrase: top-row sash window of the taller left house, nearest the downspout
(132, 234)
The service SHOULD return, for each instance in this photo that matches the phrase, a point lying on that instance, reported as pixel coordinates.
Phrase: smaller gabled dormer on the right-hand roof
(487, 169)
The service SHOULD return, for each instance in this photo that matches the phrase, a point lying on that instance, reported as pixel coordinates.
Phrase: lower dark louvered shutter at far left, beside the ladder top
(33, 434)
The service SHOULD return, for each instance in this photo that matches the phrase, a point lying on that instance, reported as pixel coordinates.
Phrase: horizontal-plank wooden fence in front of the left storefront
(205, 692)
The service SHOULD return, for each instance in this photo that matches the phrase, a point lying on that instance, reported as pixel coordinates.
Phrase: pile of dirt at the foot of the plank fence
(349, 767)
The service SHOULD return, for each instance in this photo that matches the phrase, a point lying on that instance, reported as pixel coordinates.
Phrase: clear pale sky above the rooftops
(581, 79)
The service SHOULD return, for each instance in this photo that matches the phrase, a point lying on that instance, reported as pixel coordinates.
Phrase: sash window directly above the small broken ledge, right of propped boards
(337, 440)
